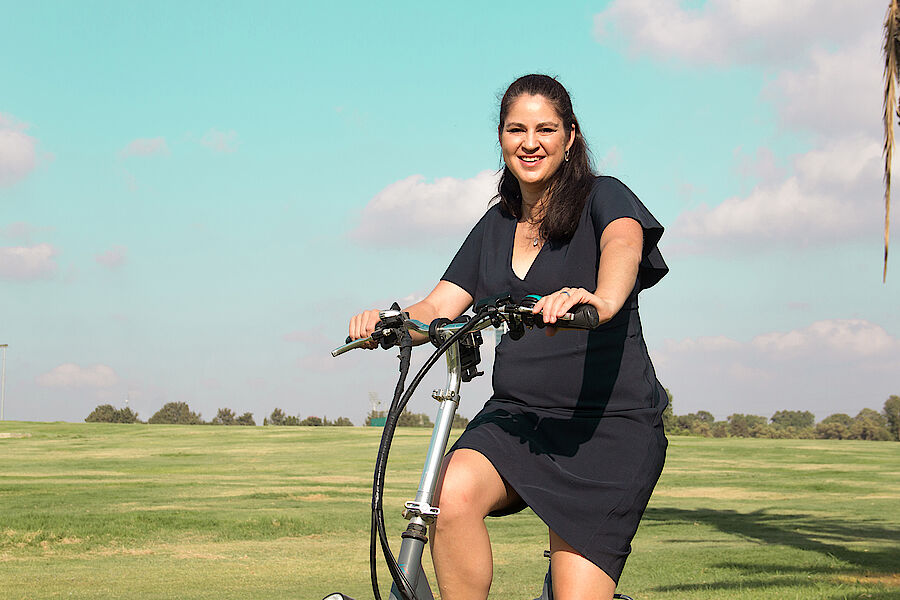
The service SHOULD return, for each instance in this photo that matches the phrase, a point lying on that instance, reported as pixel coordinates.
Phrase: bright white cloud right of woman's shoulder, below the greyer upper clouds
(822, 201)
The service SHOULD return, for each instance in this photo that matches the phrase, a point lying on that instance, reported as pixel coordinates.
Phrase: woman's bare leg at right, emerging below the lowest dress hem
(574, 576)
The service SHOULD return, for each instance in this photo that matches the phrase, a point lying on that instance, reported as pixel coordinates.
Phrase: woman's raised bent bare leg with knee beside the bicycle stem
(469, 489)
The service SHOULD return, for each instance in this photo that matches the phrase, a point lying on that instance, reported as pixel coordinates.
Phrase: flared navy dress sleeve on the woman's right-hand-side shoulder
(610, 200)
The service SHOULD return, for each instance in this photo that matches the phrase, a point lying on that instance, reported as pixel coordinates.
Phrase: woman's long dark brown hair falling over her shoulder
(571, 183)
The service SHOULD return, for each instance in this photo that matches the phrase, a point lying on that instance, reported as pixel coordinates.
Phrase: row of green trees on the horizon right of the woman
(868, 424)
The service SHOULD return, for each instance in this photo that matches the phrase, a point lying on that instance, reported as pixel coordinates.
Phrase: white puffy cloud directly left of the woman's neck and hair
(412, 210)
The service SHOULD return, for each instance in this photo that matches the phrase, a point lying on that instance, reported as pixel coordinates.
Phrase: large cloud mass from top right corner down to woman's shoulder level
(822, 61)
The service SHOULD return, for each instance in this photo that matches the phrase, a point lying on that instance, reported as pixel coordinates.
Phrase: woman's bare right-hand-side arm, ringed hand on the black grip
(621, 247)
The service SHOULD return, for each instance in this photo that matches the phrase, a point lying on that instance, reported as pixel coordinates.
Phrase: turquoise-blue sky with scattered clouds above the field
(194, 198)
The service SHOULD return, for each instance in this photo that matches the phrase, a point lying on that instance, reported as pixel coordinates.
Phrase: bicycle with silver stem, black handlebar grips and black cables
(460, 340)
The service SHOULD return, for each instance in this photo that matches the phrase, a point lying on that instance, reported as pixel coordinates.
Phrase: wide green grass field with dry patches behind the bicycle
(138, 511)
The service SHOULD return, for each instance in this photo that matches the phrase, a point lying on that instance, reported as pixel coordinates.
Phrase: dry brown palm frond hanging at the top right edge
(891, 106)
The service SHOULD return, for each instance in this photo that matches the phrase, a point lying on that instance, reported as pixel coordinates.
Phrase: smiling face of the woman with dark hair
(534, 142)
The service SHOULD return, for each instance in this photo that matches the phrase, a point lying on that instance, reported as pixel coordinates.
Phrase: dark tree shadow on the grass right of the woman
(828, 537)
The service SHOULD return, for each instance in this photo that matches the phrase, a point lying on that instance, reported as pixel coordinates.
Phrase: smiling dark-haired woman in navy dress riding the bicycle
(574, 427)
